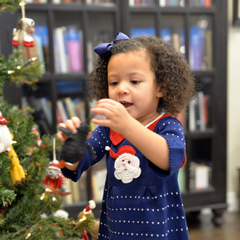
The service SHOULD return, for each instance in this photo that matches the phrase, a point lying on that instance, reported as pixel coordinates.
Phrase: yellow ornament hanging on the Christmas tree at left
(16, 170)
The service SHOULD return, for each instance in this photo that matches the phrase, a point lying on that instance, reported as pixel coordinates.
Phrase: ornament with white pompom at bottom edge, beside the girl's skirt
(93, 225)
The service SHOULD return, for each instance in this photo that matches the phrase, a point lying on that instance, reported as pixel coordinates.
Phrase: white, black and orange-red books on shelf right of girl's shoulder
(200, 112)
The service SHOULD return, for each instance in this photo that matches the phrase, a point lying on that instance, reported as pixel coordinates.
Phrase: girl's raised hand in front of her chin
(117, 117)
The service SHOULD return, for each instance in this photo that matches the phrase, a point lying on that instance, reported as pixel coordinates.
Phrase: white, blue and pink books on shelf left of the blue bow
(68, 49)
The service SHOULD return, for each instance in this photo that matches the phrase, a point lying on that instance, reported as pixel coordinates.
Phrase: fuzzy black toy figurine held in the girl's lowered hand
(73, 149)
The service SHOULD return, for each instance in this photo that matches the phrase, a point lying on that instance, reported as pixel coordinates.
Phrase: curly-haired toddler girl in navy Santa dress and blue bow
(141, 84)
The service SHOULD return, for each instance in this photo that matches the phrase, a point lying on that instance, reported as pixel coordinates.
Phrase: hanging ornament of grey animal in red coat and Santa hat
(54, 179)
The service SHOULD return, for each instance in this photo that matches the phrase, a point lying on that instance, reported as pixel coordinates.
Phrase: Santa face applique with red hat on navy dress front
(127, 164)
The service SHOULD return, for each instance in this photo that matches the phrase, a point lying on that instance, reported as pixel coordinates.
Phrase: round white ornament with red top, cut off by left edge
(5, 136)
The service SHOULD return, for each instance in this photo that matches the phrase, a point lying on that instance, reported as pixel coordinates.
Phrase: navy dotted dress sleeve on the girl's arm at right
(171, 129)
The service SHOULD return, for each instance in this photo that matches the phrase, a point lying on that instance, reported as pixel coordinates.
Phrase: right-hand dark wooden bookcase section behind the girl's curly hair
(196, 30)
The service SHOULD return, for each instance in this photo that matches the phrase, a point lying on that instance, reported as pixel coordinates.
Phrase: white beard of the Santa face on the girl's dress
(126, 173)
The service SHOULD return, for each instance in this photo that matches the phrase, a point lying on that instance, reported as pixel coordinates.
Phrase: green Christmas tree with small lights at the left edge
(26, 209)
